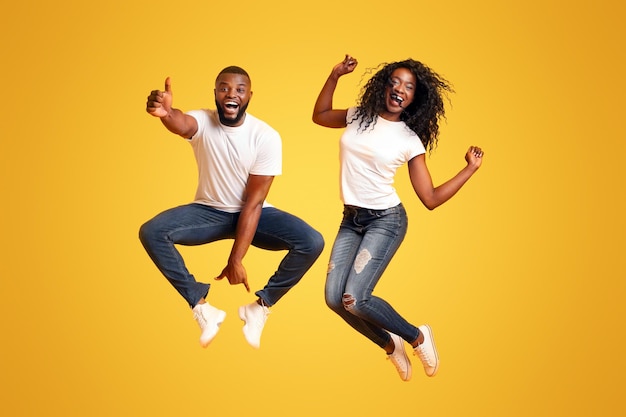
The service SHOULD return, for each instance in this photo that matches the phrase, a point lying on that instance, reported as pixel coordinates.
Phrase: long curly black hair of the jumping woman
(422, 115)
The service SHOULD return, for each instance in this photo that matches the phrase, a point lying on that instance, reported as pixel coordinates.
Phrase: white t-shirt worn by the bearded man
(226, 156)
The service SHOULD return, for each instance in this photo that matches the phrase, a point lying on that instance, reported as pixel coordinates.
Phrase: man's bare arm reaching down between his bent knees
(257, 189)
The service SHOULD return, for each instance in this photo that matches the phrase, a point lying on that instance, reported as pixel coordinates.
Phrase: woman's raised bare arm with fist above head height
(323, 113)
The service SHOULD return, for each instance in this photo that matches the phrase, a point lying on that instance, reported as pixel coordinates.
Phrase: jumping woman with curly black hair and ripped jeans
(395, 122)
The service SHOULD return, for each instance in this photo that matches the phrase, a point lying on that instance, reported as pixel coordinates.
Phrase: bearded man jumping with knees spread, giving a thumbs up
(238, 156)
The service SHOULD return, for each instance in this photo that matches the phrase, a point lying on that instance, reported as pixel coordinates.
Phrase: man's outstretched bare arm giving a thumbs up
(159, 105)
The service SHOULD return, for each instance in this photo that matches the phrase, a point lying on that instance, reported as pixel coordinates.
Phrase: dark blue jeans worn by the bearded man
(197, 224)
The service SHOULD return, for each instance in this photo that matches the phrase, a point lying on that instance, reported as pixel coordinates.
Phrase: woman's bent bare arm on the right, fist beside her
(432, 197)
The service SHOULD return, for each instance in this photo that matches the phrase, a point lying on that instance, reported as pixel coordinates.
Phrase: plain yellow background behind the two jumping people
(521, 275)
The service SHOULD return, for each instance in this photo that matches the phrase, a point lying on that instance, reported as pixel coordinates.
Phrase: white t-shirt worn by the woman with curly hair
(369, 161)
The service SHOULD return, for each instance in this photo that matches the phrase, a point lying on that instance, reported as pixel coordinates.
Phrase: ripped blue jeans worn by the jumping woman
(366, 242)
